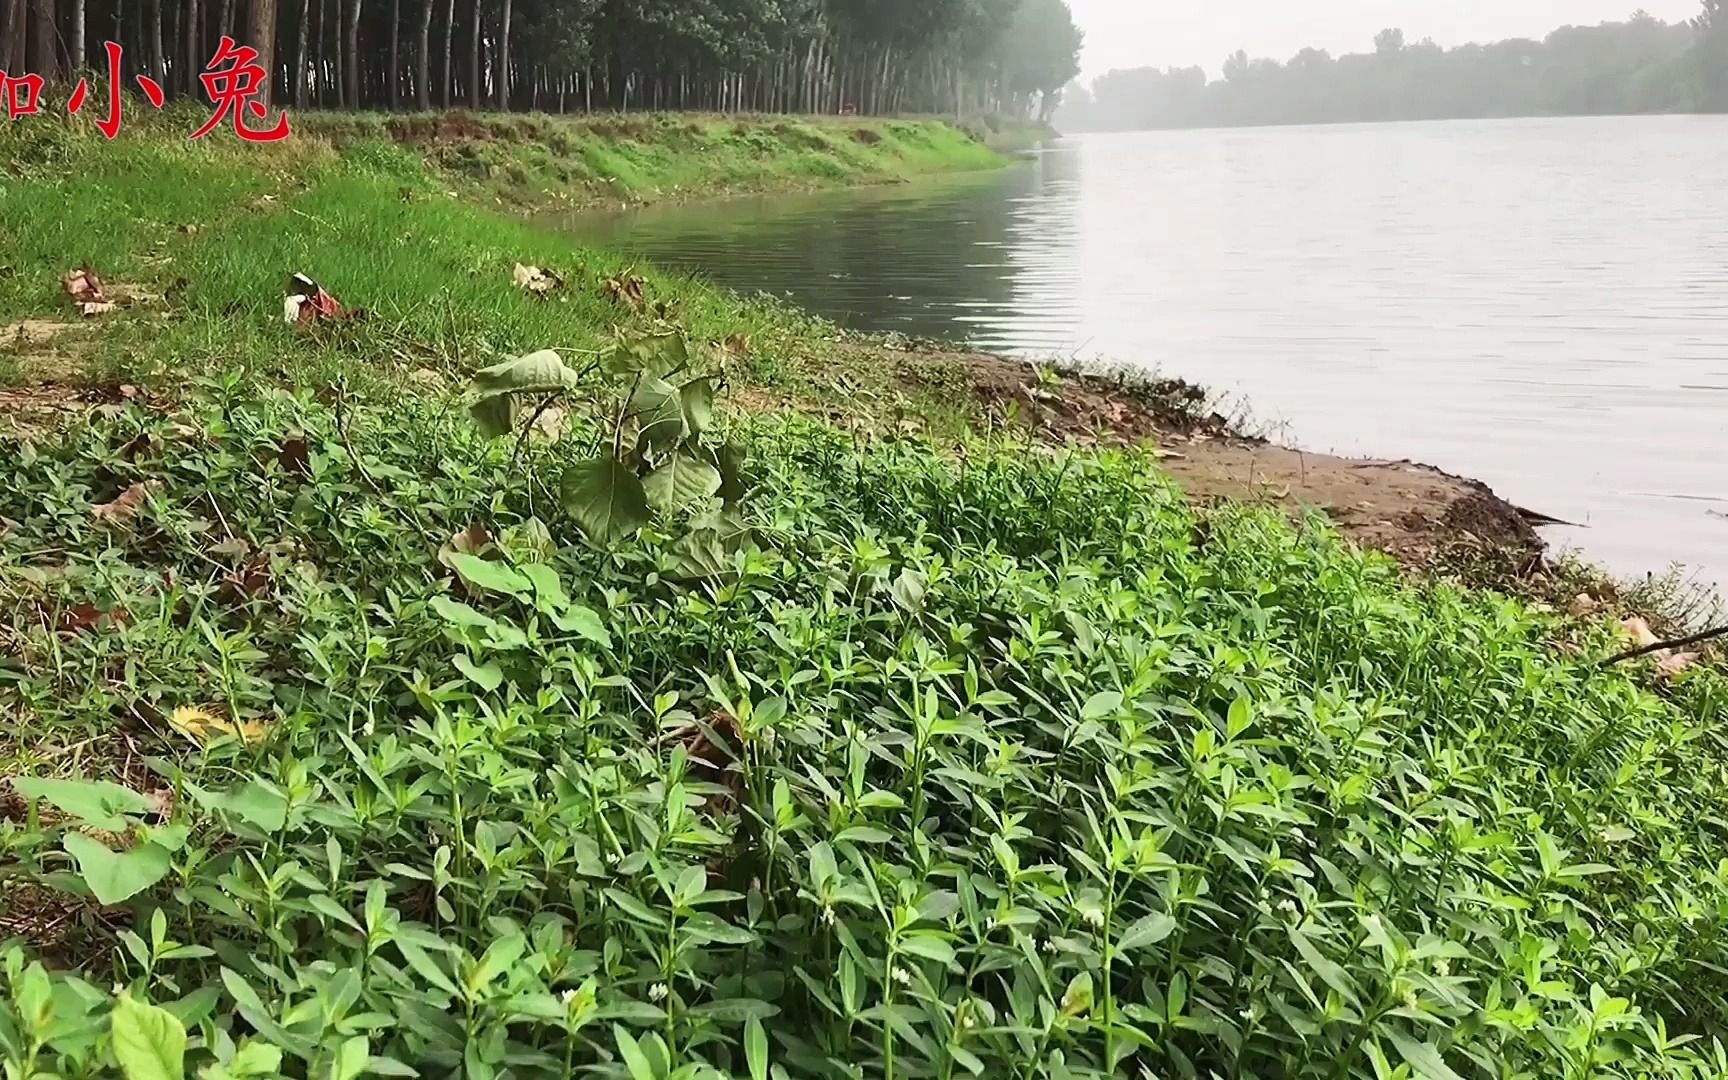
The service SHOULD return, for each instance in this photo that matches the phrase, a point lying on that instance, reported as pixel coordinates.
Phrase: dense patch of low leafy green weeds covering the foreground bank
(352, 740)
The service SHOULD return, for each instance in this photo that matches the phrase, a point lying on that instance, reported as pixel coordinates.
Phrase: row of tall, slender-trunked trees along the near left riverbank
(768, 56)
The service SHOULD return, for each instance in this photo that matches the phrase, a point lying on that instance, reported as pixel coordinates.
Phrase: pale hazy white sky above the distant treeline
(1162, 34)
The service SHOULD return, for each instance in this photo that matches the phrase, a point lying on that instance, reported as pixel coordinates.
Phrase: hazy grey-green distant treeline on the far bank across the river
(1637, 67)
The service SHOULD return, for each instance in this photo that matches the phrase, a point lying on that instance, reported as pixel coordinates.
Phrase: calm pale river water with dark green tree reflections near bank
(1537, 303)
